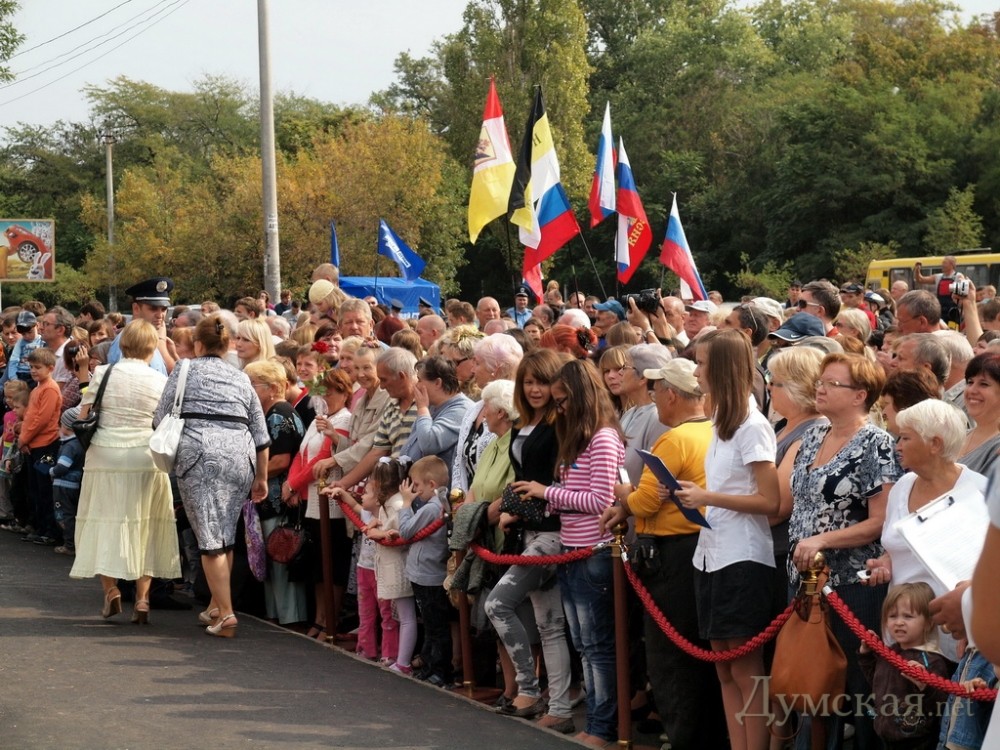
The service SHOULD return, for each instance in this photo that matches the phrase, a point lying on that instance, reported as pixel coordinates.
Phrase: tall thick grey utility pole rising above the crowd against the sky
(272, 254)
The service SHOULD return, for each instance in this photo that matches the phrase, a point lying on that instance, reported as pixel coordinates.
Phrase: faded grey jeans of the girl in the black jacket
(538, 583)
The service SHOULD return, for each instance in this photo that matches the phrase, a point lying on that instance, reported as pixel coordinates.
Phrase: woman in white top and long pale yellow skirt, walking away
(125, 524)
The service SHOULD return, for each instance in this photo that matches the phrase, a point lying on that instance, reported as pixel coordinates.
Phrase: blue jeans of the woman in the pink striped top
(588, 599)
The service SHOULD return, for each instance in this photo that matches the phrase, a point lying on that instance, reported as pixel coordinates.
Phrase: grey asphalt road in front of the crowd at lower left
(69, 679)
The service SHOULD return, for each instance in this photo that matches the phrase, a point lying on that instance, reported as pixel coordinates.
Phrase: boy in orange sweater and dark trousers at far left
(40, 439)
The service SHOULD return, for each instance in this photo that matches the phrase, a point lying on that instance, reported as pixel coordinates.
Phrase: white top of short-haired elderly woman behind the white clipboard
(906, 566)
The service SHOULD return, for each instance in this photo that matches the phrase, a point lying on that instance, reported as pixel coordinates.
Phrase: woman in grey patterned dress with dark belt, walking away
(222, 457)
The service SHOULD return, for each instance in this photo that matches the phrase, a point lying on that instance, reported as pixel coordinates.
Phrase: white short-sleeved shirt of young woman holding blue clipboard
(735, 536)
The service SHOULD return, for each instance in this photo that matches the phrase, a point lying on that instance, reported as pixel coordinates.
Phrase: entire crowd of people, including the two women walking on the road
(813, 424)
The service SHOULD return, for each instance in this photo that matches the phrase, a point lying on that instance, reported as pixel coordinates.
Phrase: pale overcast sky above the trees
(331, 50)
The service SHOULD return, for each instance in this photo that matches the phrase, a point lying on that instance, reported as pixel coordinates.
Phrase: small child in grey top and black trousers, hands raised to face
(423, 503)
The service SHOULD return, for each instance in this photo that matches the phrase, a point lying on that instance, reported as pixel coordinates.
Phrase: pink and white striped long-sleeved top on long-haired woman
(586, 490)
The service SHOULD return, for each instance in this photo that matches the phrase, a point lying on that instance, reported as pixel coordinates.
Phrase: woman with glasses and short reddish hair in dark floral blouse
(841, 480)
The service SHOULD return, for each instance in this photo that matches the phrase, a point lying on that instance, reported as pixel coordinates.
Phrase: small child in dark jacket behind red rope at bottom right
(901, 719)
